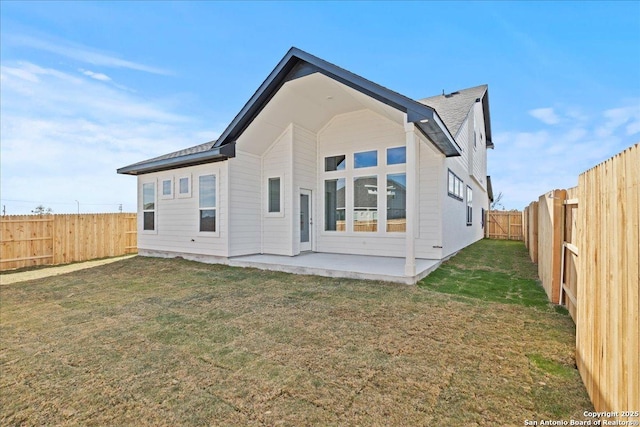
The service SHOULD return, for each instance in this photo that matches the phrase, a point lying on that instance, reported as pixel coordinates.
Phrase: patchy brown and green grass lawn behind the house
(171, 342)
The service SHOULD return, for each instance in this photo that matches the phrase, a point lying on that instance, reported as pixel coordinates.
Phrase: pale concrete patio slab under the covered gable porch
(339, 265)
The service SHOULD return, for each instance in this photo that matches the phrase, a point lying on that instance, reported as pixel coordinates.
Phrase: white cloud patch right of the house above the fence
(525, 165)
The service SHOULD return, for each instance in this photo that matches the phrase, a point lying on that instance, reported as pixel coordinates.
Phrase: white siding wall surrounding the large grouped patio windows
(358, 131)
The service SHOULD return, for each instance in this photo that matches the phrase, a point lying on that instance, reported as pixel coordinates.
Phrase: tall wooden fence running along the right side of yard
(586, 241)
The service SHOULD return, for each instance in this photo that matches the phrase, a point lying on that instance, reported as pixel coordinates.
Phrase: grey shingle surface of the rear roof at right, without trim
(453, 108)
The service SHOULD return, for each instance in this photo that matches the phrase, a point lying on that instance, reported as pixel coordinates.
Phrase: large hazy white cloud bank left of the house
(64, 136)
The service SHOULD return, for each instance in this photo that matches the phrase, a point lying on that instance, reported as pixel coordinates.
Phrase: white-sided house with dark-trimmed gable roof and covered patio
(321, 160)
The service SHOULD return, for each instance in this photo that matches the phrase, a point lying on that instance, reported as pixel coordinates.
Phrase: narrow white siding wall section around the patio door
(305, 176)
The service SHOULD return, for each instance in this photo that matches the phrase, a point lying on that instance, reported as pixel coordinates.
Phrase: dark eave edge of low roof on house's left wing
(213, 155)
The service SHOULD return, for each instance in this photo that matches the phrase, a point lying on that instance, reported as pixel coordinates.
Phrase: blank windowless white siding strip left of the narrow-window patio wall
(245, 205)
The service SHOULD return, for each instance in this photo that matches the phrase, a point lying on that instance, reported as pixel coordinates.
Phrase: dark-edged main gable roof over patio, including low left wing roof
(296, 64)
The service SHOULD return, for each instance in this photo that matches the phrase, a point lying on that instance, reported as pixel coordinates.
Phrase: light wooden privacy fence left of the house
(29, 240)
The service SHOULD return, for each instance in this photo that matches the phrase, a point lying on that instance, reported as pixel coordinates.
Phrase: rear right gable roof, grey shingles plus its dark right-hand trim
(455, 106)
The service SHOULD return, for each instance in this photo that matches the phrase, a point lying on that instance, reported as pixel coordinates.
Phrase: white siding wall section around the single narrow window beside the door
(277, 229)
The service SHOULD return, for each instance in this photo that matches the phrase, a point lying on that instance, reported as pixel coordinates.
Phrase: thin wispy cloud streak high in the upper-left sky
(79, 53)
